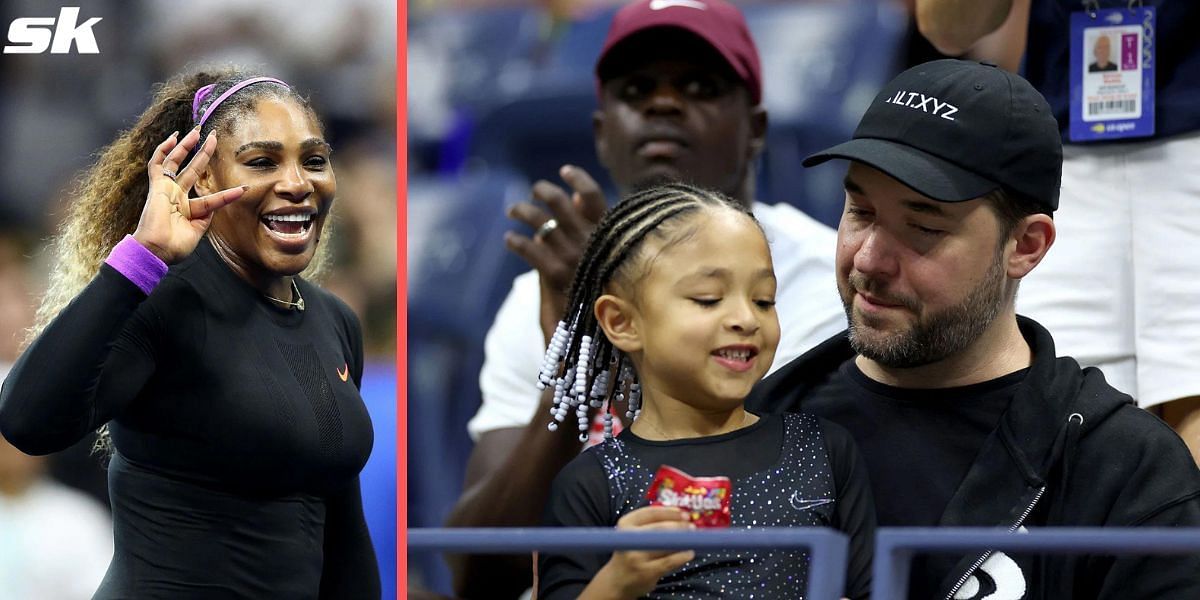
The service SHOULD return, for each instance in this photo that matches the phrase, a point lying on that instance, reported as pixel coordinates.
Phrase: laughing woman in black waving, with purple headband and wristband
(178, 320)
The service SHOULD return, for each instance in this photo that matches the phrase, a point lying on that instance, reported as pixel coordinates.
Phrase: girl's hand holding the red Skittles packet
(634, 574)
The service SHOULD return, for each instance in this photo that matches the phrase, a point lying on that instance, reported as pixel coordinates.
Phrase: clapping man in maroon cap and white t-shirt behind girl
(680, 87)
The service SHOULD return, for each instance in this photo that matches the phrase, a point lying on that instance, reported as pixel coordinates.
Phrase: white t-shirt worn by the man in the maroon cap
(807, 302)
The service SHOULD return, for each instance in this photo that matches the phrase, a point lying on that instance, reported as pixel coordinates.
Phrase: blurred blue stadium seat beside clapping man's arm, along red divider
(459, 273)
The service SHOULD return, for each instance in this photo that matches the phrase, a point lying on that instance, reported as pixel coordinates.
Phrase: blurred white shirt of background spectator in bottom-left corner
(56, 544)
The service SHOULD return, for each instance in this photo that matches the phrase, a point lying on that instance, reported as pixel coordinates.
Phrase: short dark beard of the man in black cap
(934, 337)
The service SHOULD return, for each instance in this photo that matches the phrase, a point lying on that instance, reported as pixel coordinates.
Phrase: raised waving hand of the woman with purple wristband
(172, 224)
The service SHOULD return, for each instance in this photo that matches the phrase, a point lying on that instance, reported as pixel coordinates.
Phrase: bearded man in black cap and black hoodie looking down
(962, 410)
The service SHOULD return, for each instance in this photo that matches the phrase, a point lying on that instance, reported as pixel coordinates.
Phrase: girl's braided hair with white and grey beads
(581, 365)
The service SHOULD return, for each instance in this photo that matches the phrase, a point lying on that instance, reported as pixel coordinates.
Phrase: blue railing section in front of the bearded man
(895, 548)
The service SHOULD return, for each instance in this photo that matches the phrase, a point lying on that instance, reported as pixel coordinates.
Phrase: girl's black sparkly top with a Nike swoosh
(787, 471)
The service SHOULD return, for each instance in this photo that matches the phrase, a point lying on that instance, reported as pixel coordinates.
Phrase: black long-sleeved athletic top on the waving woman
(238, 427)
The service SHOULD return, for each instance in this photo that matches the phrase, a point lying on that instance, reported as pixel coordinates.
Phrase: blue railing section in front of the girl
(827, 548)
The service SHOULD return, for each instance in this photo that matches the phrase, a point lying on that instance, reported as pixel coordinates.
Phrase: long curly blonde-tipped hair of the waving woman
(109, 197)
